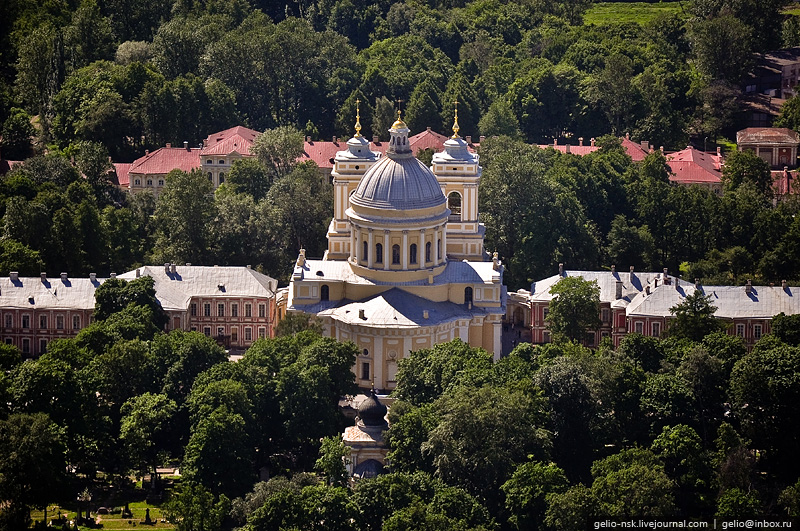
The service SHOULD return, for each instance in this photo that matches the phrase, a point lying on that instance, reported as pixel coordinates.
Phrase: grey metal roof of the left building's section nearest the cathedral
(173, 290)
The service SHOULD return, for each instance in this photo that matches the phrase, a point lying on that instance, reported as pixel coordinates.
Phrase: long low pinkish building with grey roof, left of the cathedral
(233, 304)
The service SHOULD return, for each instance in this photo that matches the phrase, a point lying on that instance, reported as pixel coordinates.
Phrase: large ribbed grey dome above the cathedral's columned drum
(398, 183)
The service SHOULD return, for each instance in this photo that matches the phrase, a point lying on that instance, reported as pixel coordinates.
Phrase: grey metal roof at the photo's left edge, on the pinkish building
(52, 293)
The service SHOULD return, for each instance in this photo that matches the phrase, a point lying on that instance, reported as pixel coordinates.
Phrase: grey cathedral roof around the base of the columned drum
(463, 272)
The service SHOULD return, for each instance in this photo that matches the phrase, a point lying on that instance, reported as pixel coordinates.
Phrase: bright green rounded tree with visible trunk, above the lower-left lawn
(145, 430)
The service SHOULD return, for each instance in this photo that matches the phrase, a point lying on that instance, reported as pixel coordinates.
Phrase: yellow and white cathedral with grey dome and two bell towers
(405, 267)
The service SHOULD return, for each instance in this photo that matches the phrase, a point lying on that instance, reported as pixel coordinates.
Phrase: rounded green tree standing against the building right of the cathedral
(574, 308)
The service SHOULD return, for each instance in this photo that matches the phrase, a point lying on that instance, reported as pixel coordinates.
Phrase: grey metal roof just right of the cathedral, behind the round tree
(632, 284)
